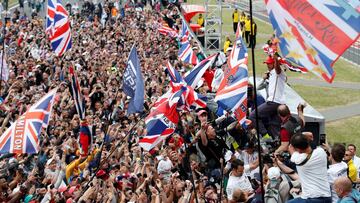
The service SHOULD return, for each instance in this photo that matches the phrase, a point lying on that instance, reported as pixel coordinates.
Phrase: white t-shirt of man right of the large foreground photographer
(335, 171)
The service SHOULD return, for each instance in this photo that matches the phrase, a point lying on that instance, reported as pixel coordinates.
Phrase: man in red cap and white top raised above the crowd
(268, 110)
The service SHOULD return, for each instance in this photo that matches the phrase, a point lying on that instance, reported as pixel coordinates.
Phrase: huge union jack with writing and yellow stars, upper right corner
(314, 34)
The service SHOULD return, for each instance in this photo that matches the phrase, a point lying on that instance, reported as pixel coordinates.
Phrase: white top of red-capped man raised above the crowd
(277, 87)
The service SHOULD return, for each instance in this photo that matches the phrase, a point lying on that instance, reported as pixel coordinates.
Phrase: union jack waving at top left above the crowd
(58, 27)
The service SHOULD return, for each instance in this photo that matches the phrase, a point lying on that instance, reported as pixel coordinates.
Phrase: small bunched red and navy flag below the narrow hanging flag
(85, 138)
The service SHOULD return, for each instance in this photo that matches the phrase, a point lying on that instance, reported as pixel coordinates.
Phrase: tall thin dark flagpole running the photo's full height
(255, 101)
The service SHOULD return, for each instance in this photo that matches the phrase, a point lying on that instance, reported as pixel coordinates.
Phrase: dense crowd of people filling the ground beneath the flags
(207, 159)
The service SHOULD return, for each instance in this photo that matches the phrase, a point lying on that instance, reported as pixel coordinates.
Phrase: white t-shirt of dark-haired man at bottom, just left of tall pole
(234, 182)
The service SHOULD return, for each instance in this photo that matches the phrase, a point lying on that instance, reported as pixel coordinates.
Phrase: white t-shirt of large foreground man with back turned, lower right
(313, 174)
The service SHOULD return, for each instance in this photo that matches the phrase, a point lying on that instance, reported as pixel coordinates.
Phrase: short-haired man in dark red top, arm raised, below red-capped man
(290, 125)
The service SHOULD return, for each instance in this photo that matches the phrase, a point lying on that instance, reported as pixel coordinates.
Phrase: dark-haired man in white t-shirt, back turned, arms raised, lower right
(312, 170)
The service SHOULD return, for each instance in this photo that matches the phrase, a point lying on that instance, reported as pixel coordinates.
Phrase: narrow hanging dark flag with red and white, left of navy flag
(76, 93)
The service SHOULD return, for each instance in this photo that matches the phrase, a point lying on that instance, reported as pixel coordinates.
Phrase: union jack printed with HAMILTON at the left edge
(23, 135)
